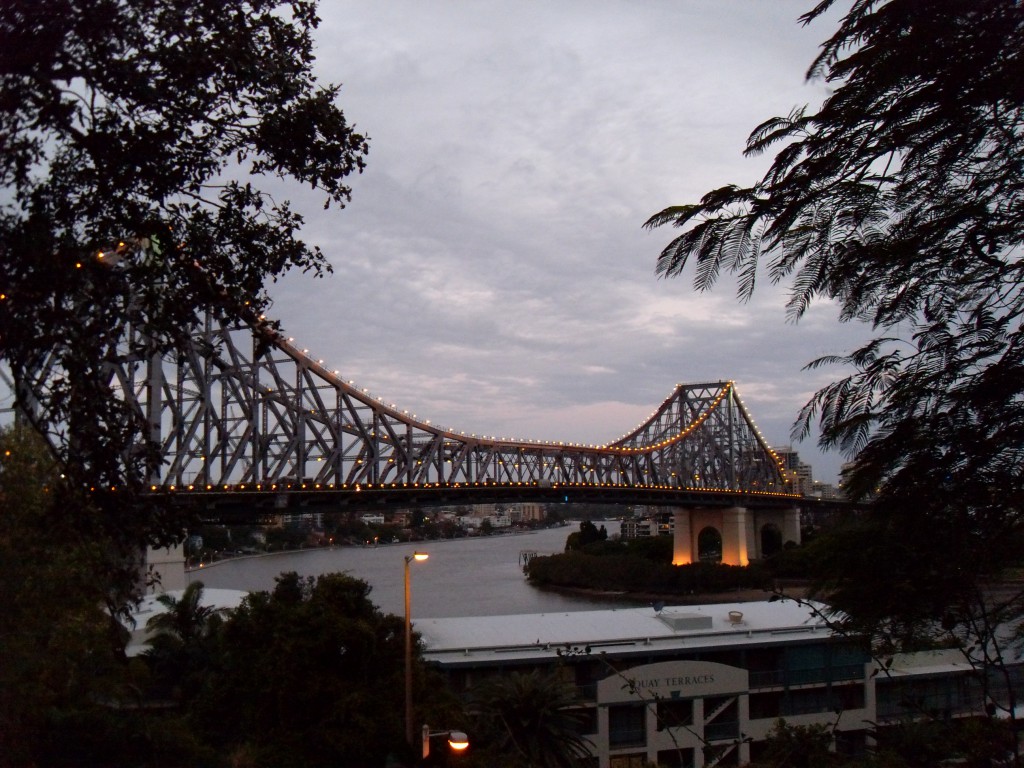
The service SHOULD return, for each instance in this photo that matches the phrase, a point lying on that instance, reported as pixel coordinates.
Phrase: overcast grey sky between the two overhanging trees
(492, 273)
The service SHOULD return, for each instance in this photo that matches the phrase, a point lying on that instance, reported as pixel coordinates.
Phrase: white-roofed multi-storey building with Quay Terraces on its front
(704, 686)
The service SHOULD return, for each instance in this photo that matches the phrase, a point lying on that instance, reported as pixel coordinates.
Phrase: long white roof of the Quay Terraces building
(476, 641)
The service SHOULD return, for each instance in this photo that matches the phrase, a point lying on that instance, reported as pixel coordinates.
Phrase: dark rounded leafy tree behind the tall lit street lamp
(311, 674)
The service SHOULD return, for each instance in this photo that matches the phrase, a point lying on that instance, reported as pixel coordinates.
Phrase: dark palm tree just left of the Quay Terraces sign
(531, 716)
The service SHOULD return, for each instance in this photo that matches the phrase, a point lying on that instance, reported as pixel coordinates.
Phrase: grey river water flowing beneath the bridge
(474, 577)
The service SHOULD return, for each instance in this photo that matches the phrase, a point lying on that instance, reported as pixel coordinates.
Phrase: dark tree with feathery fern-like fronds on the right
(901, 200)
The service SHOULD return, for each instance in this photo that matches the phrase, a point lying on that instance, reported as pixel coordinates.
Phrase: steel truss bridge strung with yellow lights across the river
(245, 420)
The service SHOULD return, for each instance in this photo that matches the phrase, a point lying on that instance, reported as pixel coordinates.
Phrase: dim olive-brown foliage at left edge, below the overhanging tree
(60, 647)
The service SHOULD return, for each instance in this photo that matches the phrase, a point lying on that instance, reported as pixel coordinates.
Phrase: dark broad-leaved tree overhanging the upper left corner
(141, 146)
